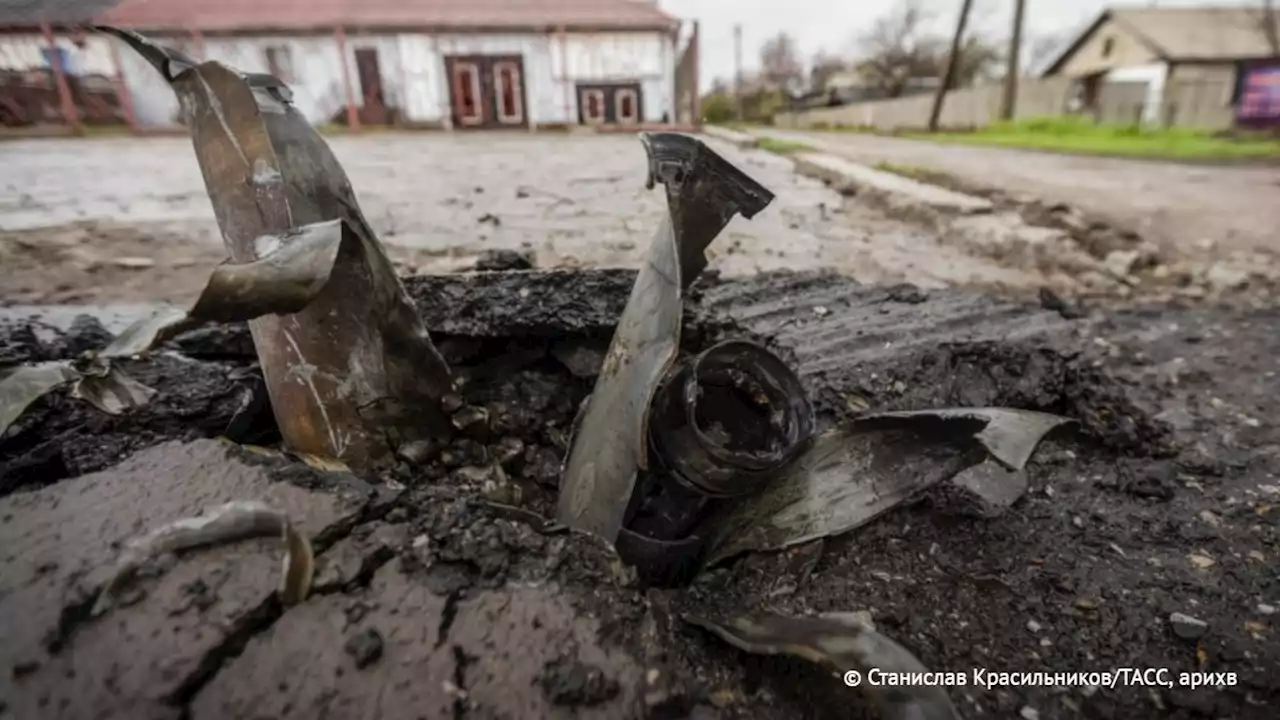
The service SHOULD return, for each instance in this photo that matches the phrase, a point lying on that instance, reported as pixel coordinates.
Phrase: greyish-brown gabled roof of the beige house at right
(1209, 34)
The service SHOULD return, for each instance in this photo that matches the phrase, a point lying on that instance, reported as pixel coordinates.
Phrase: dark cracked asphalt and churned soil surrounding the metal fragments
(436, 603)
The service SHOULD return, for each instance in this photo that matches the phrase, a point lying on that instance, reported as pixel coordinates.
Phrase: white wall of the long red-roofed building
(413, 70)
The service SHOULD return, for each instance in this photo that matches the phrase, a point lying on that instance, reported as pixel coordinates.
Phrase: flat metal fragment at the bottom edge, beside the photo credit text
(840, 644)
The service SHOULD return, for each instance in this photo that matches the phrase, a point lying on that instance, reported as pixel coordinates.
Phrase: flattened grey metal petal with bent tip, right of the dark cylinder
(865, 468)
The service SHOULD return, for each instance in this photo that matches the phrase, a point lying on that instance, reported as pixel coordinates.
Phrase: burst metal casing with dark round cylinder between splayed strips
(685, 464)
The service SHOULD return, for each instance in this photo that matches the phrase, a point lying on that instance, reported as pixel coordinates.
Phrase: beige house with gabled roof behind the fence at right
(1140, 57)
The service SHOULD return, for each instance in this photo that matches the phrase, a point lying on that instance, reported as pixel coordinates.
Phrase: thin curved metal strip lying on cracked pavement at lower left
(227, 523)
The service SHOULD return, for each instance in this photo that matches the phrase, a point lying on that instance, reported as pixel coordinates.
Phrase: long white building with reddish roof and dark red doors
(440, 63)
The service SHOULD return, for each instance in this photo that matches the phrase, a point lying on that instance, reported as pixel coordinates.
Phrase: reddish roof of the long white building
(216, 16)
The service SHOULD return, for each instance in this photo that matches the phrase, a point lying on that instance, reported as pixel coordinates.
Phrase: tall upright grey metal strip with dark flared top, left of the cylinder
(610, 448)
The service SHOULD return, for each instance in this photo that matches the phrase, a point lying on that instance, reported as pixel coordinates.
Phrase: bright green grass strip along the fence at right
(1082, 136)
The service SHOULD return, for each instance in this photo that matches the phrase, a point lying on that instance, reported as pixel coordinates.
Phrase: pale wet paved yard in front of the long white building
(127, 220)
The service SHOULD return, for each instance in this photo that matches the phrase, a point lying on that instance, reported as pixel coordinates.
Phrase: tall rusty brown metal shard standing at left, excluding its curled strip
(353, 373)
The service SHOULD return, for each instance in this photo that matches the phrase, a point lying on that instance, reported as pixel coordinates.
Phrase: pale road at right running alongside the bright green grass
(1180, 206)
